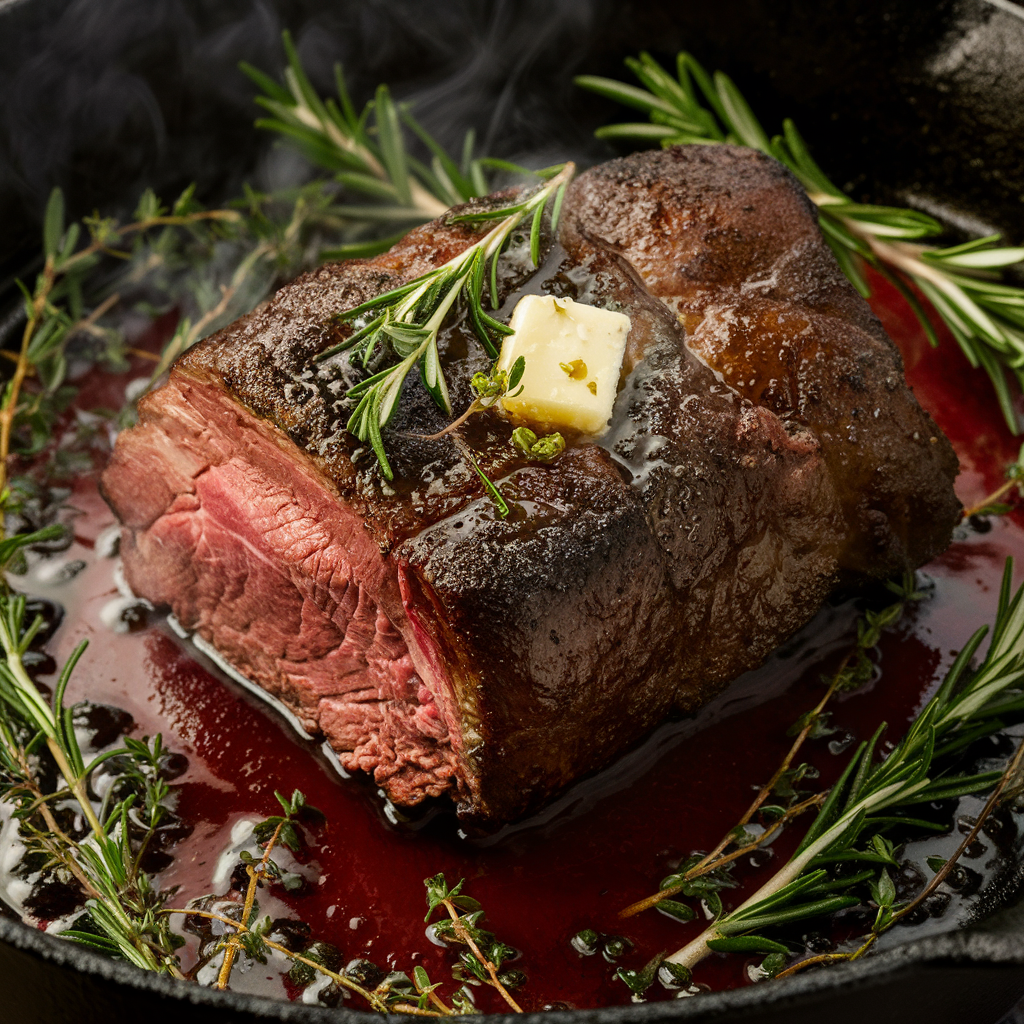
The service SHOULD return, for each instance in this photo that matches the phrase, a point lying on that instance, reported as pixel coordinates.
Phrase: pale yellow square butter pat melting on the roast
(574, 356)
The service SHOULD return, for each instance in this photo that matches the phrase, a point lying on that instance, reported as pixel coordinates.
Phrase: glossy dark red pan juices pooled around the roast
(601, 847)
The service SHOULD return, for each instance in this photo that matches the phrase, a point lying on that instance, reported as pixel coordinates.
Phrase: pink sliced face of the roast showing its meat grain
(224, 521)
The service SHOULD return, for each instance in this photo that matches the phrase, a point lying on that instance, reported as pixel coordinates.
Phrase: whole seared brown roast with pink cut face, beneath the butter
(764, 450)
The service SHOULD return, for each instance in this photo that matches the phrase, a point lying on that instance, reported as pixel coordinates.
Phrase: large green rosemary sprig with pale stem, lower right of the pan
(967, 706)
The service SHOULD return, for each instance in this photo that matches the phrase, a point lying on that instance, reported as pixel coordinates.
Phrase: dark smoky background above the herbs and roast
(105, 98)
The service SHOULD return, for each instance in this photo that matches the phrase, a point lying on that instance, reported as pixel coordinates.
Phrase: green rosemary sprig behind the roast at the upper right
(962, 283)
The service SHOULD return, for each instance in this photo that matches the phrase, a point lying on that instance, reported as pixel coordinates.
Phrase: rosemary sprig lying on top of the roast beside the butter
(411, 317)
